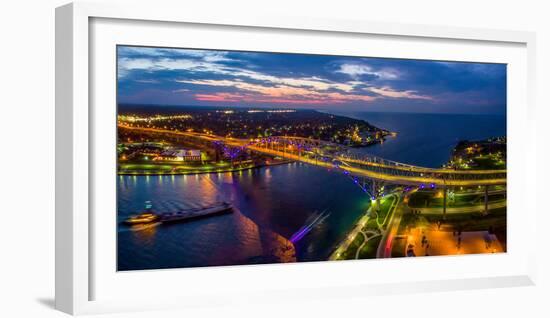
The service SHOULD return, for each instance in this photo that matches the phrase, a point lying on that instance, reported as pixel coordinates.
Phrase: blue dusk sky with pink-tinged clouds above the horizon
(230, 78)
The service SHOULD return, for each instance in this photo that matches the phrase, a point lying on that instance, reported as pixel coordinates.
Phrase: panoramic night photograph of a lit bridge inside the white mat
(238, 158)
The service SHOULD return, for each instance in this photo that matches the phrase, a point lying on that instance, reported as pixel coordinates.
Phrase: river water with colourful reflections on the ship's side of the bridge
(271, 204)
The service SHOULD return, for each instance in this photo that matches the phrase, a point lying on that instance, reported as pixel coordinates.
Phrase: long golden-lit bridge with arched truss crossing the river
(329, 154)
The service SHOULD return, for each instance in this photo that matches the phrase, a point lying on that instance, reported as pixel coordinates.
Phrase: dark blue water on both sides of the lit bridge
(273, 203)
